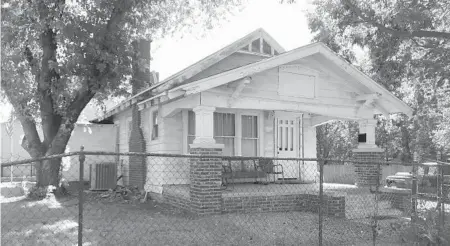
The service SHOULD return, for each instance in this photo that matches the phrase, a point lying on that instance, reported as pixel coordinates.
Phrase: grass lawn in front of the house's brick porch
(53, 221)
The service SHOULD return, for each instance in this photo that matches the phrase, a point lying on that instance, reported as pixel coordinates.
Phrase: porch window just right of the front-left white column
(224, 131)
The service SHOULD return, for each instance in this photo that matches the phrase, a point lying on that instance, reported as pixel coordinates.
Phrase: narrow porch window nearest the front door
(249, 142)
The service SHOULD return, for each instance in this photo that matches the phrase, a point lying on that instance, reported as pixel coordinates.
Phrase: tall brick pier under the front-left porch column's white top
(206, 180)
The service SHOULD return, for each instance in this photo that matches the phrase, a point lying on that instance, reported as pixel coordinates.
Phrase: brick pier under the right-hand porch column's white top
(366, 173)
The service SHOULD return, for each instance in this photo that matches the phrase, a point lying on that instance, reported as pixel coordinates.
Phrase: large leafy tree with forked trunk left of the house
(59, 55)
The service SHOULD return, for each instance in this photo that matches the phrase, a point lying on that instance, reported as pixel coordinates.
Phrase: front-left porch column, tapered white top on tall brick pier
(205, 173)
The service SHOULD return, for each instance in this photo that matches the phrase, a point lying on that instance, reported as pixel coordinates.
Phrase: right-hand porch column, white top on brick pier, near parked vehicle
(367, 173)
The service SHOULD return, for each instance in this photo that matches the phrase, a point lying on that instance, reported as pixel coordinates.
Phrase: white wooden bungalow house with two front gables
(256, 99)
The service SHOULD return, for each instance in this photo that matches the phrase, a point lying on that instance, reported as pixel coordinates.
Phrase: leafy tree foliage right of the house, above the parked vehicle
(408, 46)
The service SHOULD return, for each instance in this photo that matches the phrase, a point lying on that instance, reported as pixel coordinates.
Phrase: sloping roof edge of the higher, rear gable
(197, 67)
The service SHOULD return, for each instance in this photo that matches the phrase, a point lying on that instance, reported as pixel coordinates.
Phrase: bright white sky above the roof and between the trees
(286, 23)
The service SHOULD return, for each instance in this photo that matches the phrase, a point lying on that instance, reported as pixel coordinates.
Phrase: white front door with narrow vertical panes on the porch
(287, 143)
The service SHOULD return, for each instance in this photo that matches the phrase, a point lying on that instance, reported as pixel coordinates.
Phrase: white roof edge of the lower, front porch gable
(290, 56)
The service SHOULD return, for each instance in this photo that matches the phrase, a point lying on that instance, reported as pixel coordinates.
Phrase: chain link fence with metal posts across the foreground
(111, 199)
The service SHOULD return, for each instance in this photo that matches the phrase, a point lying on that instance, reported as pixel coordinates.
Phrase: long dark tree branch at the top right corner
(396, 33)
